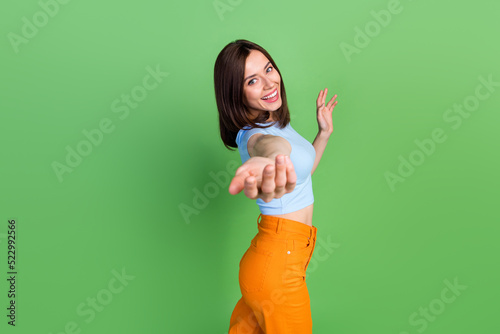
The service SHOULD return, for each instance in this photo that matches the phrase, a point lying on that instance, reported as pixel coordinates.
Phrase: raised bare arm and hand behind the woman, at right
(325, 125)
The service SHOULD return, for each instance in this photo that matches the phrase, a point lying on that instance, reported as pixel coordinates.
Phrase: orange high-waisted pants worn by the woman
(272, 277)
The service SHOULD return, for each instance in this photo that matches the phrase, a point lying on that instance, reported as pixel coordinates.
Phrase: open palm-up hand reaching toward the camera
(264, 178)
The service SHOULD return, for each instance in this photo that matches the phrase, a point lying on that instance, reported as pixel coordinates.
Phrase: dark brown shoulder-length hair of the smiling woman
(229, 72)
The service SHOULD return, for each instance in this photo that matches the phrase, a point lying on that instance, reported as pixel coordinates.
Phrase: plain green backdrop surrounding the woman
(120, 207)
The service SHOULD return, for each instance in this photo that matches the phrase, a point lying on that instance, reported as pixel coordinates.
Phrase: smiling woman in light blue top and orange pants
(277, 164)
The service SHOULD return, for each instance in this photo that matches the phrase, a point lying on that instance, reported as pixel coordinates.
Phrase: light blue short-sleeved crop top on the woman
(302, 155)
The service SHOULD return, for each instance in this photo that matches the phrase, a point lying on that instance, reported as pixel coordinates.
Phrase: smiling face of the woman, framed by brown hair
(261, 86)
